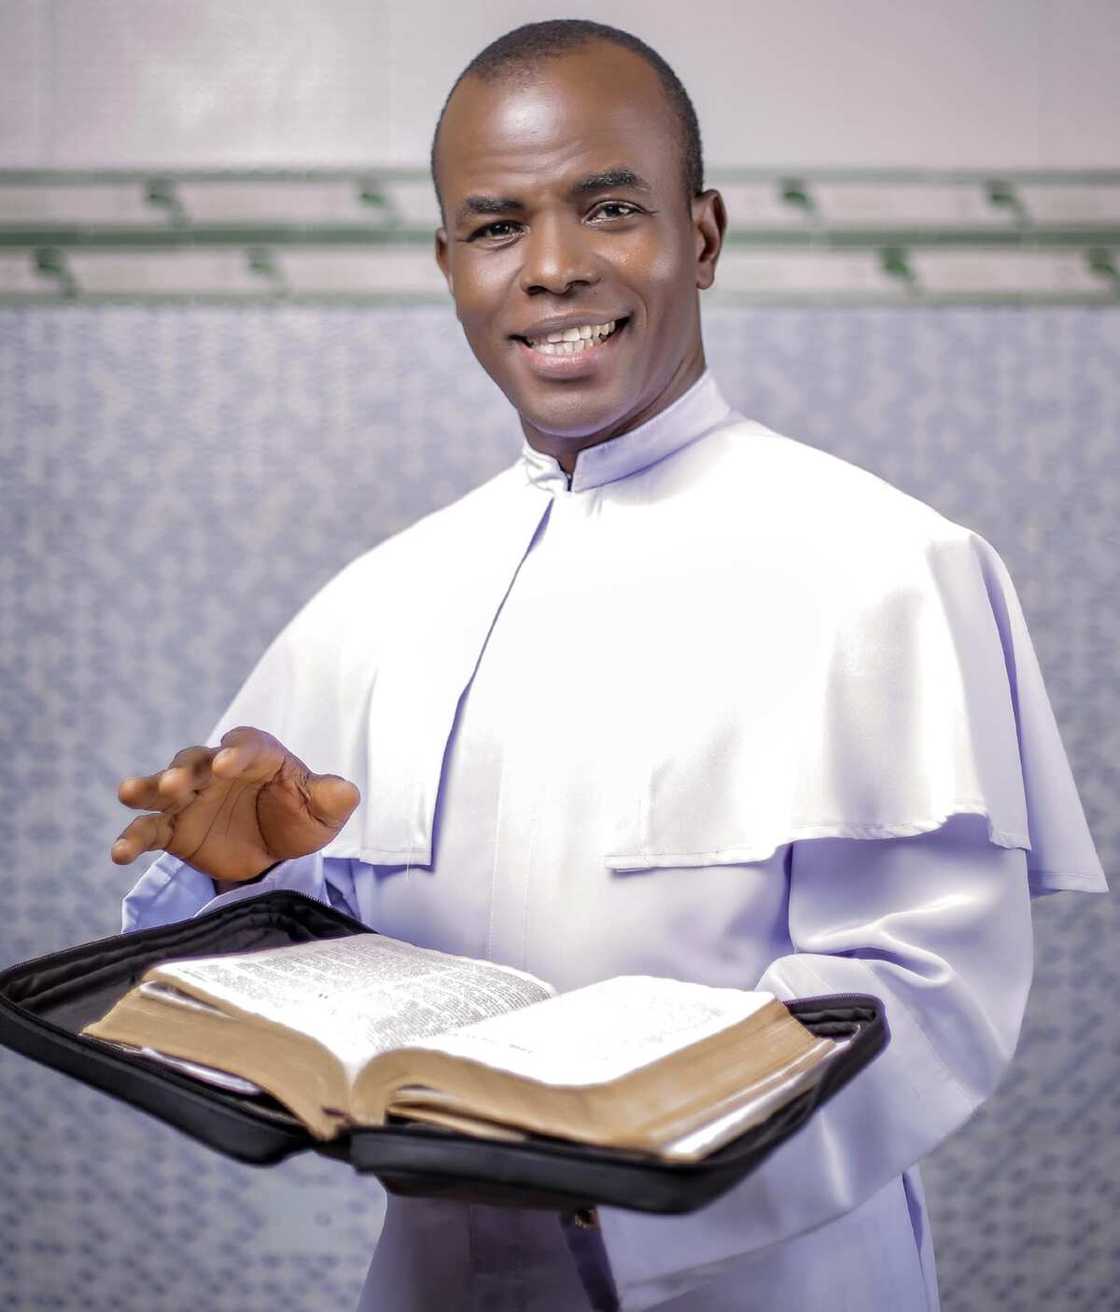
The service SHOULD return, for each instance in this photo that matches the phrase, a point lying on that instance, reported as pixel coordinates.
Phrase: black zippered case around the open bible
(45, 1003)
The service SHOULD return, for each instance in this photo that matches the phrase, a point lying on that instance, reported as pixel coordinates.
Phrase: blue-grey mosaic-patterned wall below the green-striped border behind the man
(178, 481)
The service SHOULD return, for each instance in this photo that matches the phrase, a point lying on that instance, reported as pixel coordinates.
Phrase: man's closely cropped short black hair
(527, 47)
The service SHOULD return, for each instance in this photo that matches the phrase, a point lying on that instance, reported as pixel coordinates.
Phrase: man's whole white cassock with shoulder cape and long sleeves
(726, 709)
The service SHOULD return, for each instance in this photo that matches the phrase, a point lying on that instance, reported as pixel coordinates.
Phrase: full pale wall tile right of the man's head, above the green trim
(948, 85)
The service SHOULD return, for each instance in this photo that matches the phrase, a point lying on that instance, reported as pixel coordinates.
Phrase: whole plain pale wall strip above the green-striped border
(951, 85)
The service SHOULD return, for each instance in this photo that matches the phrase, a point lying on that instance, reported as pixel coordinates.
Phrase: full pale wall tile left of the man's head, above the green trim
(218, 82)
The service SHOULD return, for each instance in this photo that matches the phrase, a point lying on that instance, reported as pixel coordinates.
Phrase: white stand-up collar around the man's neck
(690, 417)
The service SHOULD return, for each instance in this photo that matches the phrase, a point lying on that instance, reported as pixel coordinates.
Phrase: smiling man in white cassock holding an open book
(671, 696)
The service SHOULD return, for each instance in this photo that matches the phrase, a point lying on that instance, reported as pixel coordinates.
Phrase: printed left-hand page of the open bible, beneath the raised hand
(361, 995)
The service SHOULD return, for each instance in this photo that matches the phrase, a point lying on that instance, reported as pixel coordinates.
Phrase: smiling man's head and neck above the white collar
(576, 236)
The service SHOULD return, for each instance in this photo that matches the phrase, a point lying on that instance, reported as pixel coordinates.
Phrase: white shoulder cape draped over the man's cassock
(866, 670)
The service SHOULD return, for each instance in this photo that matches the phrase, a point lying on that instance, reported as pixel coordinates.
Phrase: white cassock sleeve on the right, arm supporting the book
(938, 927)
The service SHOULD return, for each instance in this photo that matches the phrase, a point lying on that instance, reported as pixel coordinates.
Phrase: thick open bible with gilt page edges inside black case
(364, 1031)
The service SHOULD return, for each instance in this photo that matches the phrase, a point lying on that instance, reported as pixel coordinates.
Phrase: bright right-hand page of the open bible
(601, 1032)
